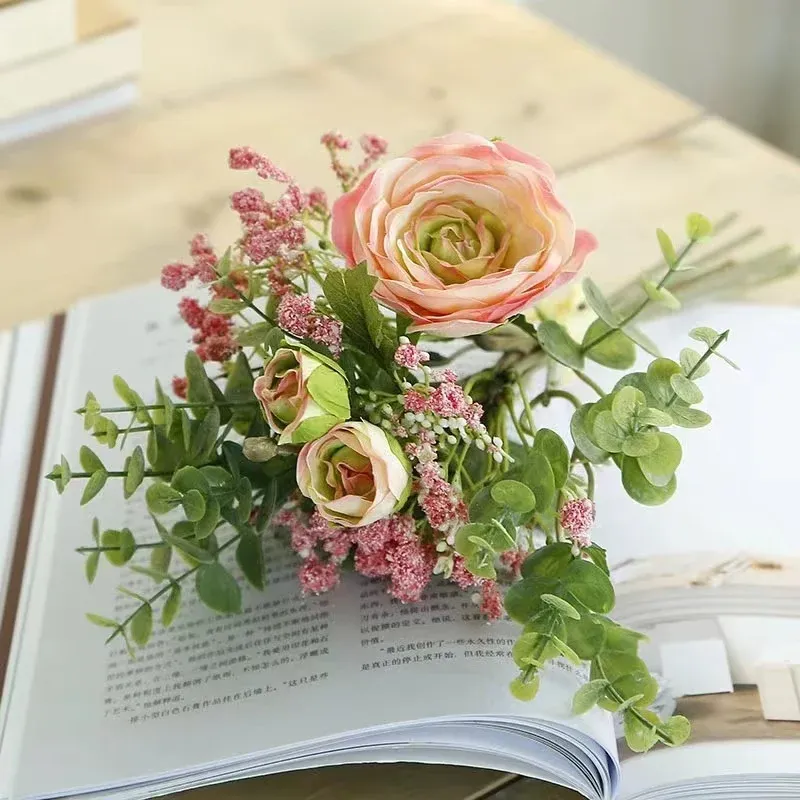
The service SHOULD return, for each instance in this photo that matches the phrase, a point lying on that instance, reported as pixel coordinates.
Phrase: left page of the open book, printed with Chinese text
(214, 689)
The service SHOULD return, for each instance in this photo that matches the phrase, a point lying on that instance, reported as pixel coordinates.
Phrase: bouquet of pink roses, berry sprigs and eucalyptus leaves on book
(319, 407)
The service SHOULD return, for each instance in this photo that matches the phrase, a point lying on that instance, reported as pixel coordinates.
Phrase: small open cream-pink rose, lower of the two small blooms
(356, 474)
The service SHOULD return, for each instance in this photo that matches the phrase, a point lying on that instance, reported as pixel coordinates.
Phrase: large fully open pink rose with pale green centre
(462, 233)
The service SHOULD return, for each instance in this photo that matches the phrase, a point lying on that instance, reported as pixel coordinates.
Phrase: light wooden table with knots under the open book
(106, 204)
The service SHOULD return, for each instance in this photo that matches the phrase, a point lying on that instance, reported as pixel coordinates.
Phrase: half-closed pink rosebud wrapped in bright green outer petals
(302, 394)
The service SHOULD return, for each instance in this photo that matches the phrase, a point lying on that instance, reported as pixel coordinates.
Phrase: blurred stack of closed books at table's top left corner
(63, 61)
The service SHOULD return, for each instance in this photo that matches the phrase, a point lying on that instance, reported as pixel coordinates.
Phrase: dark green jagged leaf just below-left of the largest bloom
(349, 292)
